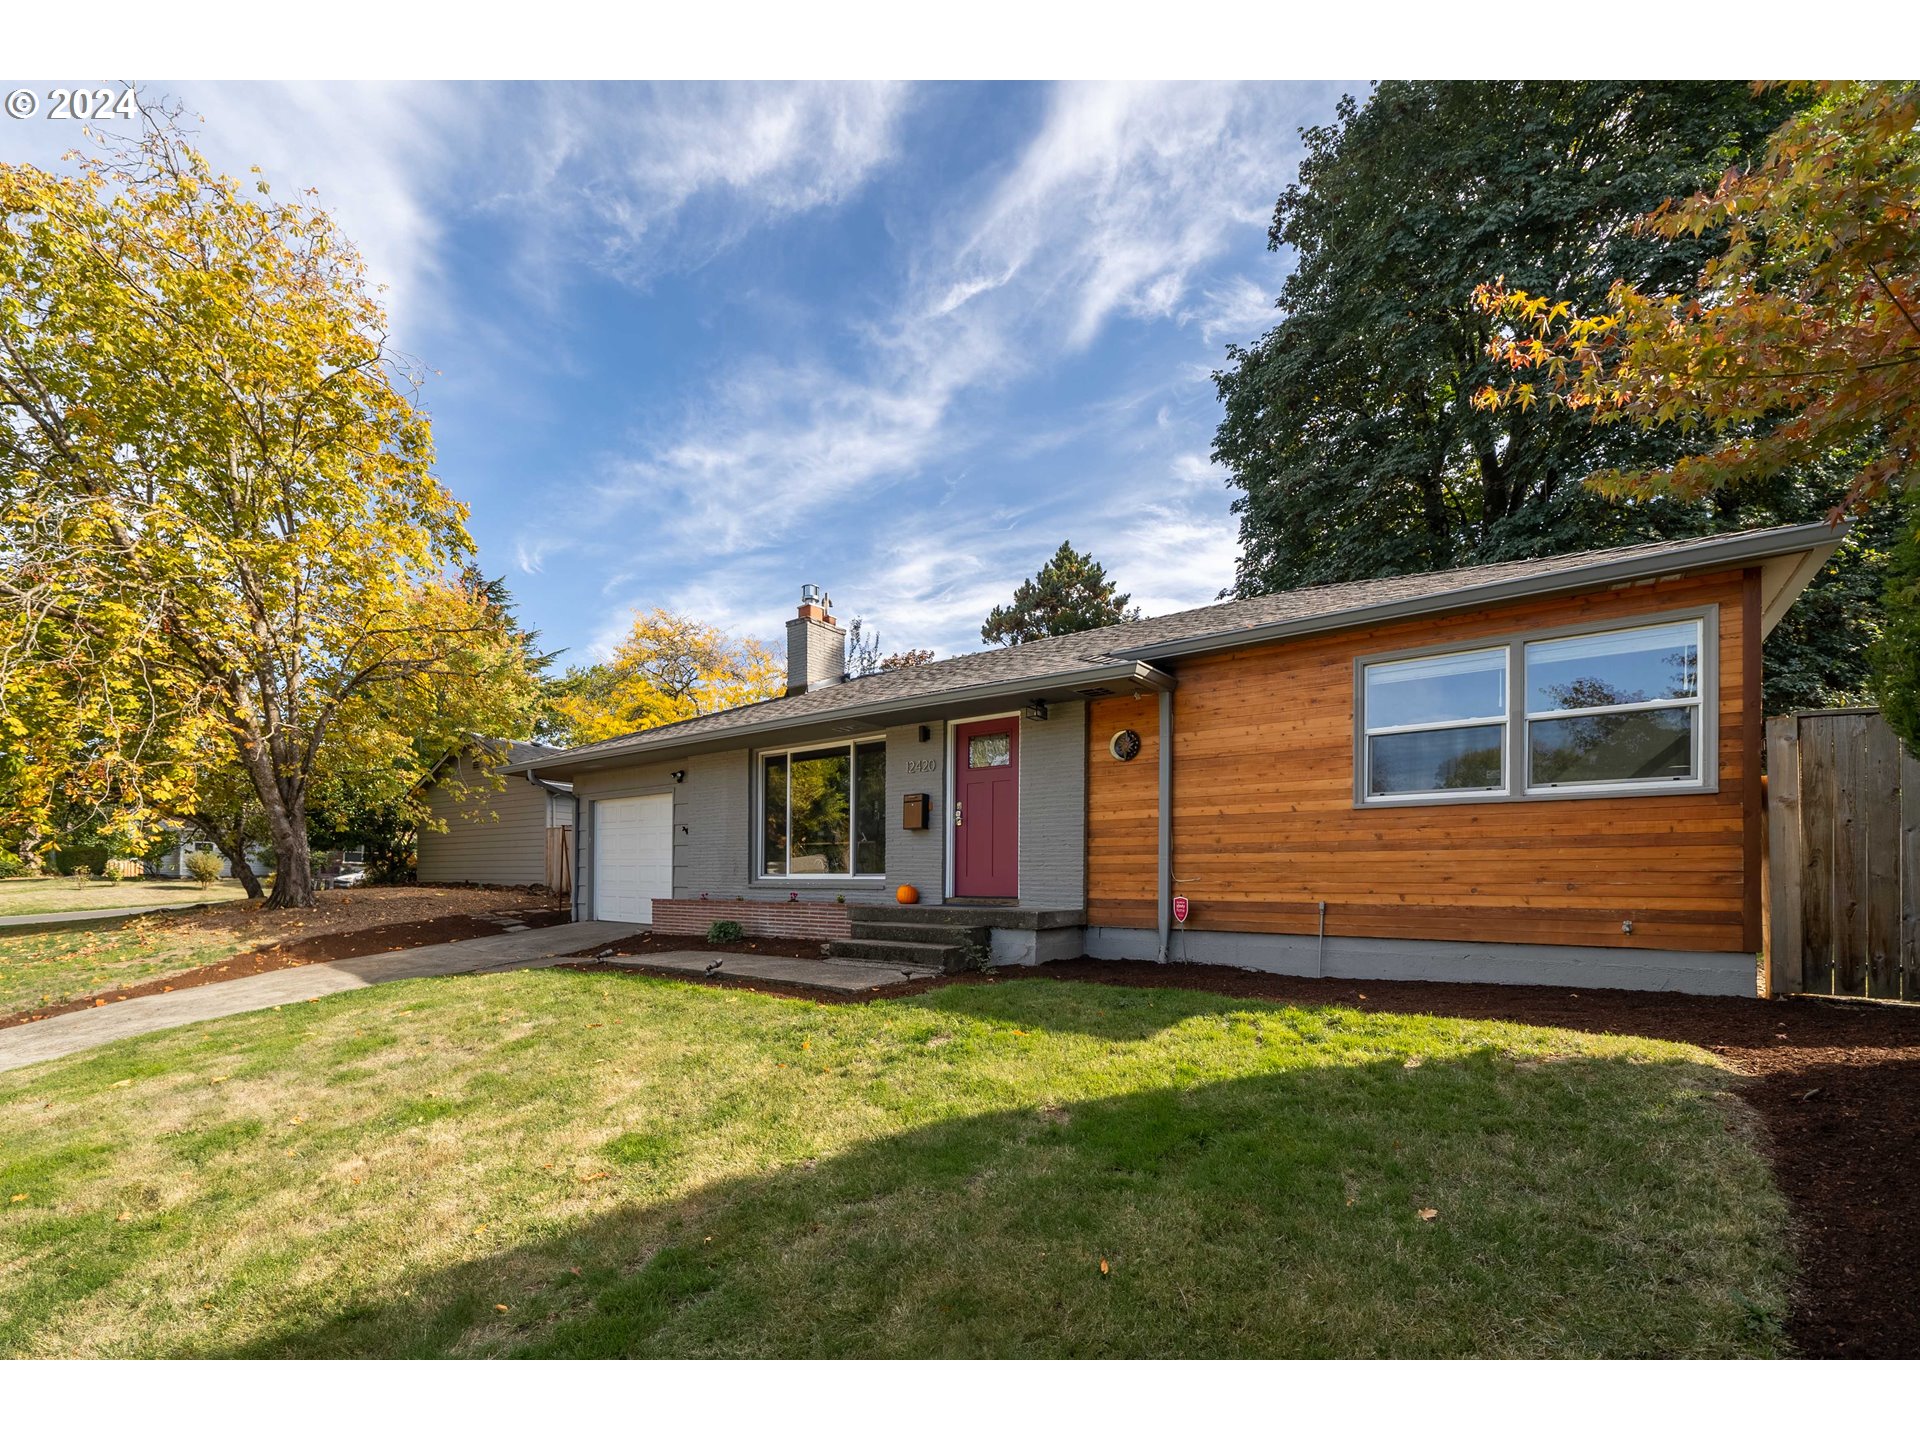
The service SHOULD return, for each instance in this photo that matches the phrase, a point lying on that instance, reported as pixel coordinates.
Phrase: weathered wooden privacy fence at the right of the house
(1844, 857)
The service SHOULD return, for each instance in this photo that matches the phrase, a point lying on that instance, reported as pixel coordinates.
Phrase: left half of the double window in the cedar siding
(1437, 725)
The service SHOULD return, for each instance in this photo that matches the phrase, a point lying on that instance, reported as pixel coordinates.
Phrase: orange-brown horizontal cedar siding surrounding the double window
(1266, 827)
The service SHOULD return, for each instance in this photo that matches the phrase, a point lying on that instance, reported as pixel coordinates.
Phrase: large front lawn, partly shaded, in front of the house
(571, 1164)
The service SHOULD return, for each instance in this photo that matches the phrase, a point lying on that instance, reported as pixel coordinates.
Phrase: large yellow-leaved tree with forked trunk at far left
(224, 552)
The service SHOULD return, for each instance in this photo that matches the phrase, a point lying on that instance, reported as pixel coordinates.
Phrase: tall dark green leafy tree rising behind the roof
(1351, 429)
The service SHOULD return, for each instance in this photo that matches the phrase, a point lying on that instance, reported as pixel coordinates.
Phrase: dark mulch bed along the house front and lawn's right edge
(1836, 1084)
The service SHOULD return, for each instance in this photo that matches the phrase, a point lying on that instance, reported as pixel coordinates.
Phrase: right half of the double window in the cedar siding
(1618, 708)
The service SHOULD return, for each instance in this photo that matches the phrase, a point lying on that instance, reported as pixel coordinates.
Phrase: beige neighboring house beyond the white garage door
(500, 832)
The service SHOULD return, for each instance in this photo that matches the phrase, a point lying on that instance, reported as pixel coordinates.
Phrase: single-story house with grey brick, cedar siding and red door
(1533, 773)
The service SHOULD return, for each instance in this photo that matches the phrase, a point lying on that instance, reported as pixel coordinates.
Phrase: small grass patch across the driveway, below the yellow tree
(68, 965)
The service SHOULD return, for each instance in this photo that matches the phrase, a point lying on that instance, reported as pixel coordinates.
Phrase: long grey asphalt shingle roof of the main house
(1057, 658)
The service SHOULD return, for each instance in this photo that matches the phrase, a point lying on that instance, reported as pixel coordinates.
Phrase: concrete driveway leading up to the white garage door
(527, 949)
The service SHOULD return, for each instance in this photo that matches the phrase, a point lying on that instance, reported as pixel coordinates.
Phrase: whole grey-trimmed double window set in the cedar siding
(1596, 711)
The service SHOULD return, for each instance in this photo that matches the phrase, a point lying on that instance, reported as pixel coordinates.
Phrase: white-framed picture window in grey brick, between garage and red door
(825, 811)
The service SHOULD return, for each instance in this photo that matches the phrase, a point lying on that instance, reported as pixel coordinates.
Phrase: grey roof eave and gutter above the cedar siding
(1812, 542)
